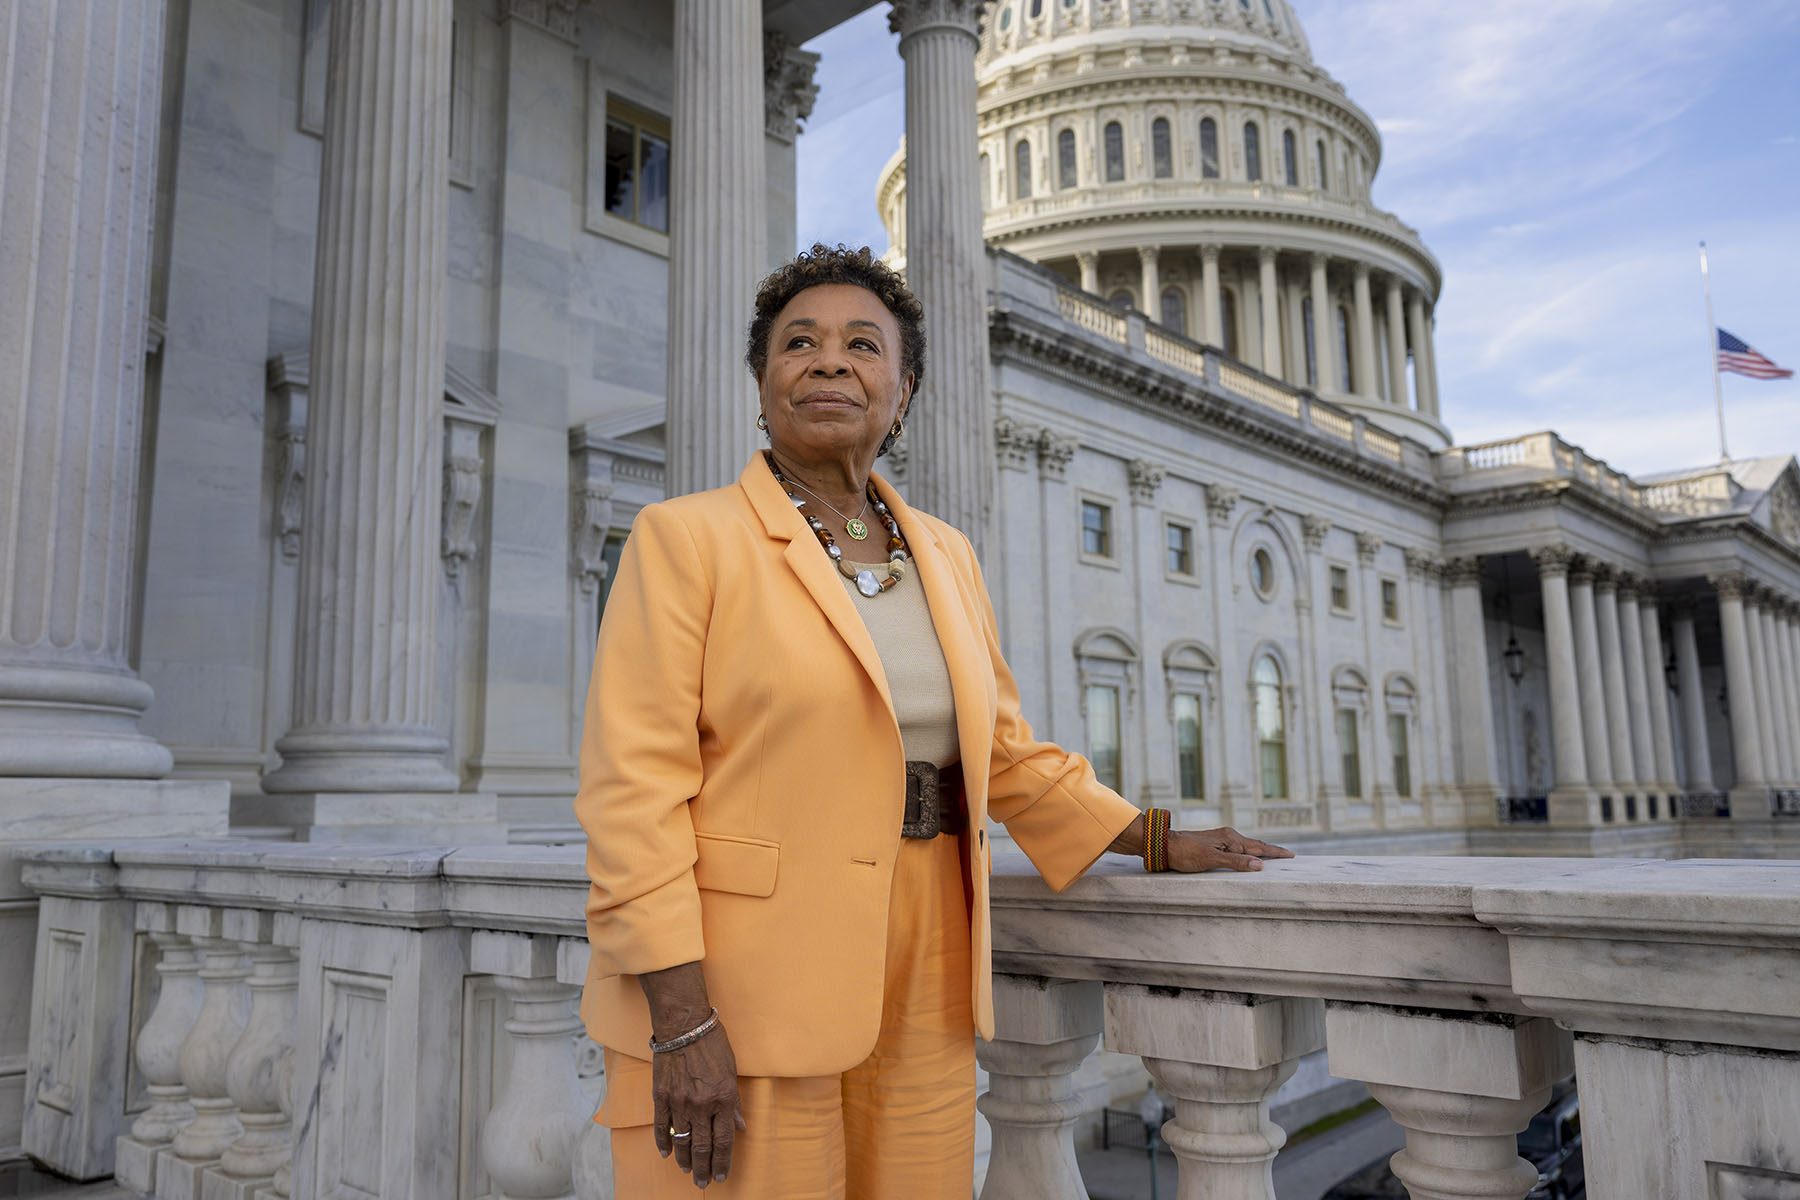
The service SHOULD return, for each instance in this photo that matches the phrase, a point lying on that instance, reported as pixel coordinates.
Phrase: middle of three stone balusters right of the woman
(1223, 1057)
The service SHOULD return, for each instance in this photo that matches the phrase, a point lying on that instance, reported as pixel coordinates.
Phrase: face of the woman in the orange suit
(832, 384)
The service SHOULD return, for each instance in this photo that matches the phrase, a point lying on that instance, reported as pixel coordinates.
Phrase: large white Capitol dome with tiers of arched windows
(1189, 159)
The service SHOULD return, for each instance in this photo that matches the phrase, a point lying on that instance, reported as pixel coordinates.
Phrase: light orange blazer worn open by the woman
(742, 778)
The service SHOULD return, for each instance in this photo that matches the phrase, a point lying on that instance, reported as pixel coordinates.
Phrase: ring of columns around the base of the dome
(1389, 319)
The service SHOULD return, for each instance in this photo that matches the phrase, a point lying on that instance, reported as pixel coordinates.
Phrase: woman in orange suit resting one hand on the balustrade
(798, 730)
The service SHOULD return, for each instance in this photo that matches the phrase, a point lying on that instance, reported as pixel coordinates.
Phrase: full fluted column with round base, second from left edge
(364, 715)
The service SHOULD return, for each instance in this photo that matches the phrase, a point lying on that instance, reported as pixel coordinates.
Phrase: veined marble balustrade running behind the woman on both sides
(258, 1021)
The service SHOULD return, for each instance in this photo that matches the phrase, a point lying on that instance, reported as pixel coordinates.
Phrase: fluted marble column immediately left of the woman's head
(717, 238)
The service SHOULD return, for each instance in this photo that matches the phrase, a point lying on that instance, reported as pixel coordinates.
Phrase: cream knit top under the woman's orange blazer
(919, 679)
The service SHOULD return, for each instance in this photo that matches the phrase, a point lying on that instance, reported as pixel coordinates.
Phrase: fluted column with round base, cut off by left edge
(80, 94)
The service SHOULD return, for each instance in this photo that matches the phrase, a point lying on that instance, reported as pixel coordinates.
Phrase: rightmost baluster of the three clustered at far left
(253, 1073)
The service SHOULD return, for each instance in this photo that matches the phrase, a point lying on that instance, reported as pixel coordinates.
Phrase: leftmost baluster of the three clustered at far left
(157, 1052)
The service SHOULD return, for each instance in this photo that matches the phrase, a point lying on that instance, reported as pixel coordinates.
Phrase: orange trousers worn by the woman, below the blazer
(897, 1127)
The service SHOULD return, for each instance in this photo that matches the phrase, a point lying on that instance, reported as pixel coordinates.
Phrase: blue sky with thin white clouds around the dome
(1563, 159)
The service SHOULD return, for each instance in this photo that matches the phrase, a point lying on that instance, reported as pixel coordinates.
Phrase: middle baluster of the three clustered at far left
(224, 1012)
